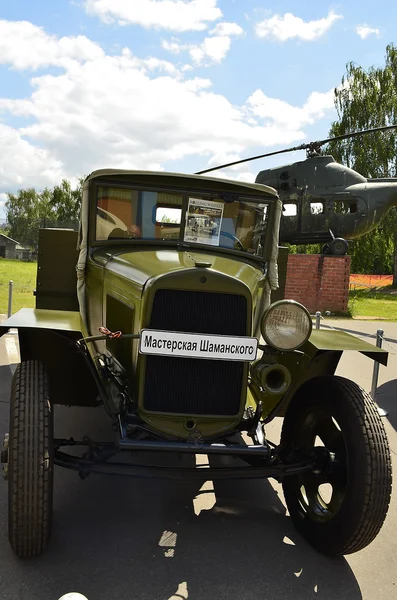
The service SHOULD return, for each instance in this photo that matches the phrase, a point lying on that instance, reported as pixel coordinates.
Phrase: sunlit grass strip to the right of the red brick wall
(377, 304)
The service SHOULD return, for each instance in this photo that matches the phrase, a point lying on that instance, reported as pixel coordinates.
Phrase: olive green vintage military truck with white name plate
(170, 322)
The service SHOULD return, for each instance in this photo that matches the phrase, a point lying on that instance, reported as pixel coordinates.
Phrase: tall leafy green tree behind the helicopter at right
(364, 100)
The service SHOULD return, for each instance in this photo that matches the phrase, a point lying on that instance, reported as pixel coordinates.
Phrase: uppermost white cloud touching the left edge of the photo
(26, 46)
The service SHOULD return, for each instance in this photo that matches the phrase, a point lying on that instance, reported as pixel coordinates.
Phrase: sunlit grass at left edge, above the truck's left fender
(23, 274)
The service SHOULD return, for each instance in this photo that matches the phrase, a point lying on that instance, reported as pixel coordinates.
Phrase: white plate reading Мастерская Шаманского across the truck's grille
(198, 345)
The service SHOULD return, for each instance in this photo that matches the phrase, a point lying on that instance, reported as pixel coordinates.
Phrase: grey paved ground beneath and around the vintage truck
(119, 539)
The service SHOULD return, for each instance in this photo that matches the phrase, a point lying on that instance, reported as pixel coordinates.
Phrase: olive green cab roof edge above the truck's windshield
(183, 180)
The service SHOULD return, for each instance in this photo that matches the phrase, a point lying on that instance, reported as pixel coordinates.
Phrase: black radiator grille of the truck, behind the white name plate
(195, 386)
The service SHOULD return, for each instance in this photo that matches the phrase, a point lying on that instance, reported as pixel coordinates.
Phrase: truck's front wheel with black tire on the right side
(344, 417)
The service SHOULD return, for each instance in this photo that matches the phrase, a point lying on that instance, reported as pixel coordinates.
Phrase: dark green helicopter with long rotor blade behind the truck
(324, 201)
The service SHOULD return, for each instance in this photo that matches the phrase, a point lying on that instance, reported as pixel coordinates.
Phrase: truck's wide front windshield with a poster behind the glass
(204, 219)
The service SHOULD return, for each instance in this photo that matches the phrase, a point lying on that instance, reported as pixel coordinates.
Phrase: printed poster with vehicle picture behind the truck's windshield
(203, 221)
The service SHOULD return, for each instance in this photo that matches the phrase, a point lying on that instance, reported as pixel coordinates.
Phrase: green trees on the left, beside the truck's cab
(28, 210)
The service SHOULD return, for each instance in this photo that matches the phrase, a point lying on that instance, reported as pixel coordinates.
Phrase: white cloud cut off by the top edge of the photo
(174, 15)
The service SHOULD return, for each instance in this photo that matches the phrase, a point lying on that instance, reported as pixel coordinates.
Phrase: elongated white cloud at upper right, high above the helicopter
(286, 27)
